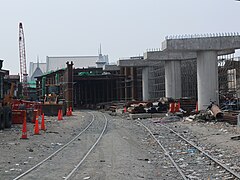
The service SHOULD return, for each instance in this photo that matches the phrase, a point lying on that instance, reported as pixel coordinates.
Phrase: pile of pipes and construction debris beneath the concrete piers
(183, 107)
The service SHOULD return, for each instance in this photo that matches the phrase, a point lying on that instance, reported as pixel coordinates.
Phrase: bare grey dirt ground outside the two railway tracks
(125, 152)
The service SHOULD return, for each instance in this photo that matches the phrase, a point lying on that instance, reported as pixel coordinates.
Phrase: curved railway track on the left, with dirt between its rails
(64, 162)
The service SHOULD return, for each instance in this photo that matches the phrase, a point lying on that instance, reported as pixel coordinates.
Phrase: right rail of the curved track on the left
(89, 151)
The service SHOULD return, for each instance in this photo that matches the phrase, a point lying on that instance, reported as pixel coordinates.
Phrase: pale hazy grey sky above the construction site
(124, 27)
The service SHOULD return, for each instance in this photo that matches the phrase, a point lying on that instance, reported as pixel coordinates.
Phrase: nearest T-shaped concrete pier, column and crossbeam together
(207, 49)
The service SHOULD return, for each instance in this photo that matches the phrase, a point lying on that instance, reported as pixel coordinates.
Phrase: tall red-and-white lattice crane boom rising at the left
(23, 68)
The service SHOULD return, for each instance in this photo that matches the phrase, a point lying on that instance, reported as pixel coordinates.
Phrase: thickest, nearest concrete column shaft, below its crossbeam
(207, 78)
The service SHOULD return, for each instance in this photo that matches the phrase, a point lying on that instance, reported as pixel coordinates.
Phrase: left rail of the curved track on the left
(60, 149)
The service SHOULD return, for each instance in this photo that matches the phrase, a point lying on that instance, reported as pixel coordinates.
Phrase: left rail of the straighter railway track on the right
(165, 151)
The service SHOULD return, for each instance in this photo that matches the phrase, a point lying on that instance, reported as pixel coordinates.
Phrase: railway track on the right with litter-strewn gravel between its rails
(190, 160)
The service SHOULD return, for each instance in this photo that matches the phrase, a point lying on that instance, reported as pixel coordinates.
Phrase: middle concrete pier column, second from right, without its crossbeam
(173, 84)
